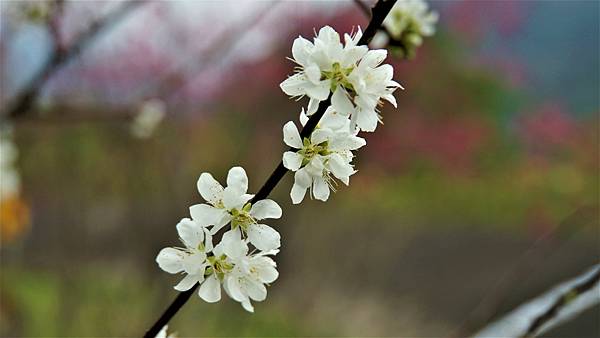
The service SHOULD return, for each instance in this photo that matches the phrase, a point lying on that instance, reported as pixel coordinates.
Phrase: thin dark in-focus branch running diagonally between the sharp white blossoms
(380, 11)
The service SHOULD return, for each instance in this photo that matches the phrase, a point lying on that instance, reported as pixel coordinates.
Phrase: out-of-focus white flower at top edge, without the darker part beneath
(413, 16)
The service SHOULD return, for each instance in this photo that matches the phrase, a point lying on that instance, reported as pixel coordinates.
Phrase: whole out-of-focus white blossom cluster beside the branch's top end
(407, 24)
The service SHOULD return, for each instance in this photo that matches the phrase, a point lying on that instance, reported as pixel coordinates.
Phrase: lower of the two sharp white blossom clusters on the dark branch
(242, 273)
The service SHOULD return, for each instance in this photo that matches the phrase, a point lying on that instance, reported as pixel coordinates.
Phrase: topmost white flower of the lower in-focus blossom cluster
(231, 204)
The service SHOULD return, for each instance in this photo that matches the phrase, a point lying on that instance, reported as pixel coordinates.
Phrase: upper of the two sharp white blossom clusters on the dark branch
(357, 81)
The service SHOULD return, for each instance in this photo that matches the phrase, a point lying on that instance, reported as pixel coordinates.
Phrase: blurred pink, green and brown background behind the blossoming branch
(478, 193)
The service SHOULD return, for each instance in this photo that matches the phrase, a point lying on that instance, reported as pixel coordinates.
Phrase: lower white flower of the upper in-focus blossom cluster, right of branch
(327, 152)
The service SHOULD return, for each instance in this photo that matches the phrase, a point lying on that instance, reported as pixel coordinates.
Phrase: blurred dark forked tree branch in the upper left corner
(61, 54)
